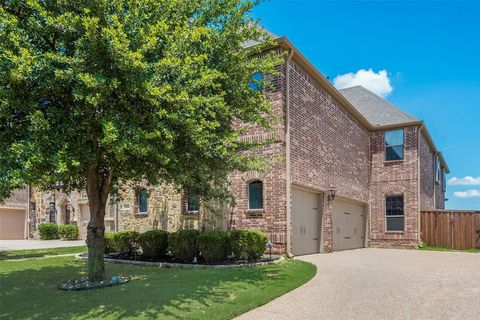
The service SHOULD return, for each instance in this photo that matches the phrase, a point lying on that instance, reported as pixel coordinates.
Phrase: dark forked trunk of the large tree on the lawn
(97, 198)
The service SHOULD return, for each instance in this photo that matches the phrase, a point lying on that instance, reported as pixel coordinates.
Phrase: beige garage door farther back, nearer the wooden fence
(348, 221)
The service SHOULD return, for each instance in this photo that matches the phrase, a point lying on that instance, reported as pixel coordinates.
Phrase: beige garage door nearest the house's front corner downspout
(305, 220)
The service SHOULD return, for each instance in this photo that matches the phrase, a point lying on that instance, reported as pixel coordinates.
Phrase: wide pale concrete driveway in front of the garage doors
(383, 284)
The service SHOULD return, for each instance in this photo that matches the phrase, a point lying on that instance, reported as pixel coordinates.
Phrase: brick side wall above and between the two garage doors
(329, 147)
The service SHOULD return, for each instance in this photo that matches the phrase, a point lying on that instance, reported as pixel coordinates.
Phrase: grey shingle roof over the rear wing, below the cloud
(378, 111)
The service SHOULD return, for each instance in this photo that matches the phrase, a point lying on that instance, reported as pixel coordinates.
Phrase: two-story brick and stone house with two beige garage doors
(346, 169)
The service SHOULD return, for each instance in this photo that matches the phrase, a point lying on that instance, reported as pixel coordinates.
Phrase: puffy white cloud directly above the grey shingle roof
(377, 82)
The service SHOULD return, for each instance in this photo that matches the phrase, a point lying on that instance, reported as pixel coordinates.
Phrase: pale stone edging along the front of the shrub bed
(276, 260)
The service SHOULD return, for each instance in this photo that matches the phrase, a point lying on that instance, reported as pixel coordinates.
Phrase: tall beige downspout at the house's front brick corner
(287, 157)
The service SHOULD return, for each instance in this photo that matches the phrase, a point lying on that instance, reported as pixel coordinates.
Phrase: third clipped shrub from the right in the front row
(184, 244)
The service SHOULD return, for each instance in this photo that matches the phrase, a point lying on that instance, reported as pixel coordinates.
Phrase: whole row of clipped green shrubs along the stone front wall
(185, 245)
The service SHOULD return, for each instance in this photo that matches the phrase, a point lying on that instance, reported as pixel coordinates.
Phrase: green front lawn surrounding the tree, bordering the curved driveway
(28, 290)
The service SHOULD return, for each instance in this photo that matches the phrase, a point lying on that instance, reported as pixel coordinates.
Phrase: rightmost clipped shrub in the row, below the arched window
(248, 244)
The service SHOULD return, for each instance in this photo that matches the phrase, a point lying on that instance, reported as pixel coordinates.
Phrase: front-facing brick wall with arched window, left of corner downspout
(272, 218)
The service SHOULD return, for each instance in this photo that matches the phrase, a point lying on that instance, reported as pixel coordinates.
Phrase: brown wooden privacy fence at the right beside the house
(451, 229)
